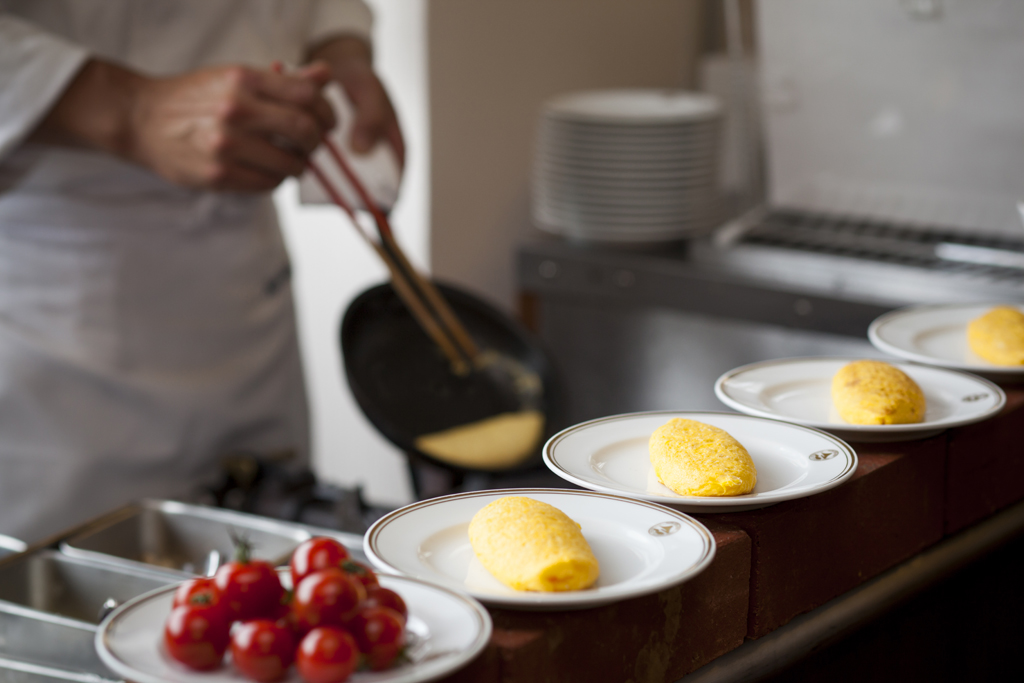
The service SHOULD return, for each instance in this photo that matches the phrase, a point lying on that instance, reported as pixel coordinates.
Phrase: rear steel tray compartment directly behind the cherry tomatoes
(185, 539)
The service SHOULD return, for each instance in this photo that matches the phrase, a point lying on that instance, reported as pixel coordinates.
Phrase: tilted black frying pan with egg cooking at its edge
(406, 387)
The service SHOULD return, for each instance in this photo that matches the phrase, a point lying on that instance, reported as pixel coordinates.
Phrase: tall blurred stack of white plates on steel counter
(628, 165)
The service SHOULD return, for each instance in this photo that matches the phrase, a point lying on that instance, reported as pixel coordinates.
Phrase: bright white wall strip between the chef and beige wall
(332, 266)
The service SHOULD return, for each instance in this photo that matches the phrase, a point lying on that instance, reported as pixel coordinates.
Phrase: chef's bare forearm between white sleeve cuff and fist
(96, 111)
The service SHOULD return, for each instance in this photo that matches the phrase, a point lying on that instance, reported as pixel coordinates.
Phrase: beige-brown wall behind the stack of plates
(492, 67)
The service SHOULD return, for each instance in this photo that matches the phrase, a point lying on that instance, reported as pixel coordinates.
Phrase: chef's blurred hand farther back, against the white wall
(351, 60)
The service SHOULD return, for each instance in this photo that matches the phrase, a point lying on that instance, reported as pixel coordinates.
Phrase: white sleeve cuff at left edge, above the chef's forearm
(35, 69)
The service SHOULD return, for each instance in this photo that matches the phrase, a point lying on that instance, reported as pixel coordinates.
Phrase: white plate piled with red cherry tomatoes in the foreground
(326, 619)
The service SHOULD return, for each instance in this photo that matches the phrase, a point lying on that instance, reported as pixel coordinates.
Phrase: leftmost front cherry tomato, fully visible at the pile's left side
(197, 635)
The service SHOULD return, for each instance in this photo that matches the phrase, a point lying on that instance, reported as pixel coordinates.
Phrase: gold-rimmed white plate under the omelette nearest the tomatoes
(642, 548)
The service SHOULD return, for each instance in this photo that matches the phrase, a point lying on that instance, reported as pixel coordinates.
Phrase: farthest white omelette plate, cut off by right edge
(937, 336)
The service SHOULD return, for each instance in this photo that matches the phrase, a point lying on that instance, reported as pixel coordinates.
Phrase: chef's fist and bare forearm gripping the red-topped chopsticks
(226, 129)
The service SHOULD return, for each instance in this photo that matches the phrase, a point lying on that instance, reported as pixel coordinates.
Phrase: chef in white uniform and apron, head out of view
(147, 323)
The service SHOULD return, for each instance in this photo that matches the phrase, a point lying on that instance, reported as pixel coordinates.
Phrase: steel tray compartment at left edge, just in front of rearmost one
(74, 588)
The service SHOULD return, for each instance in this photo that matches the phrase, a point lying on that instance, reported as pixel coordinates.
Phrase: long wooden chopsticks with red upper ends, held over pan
(425, 303)
